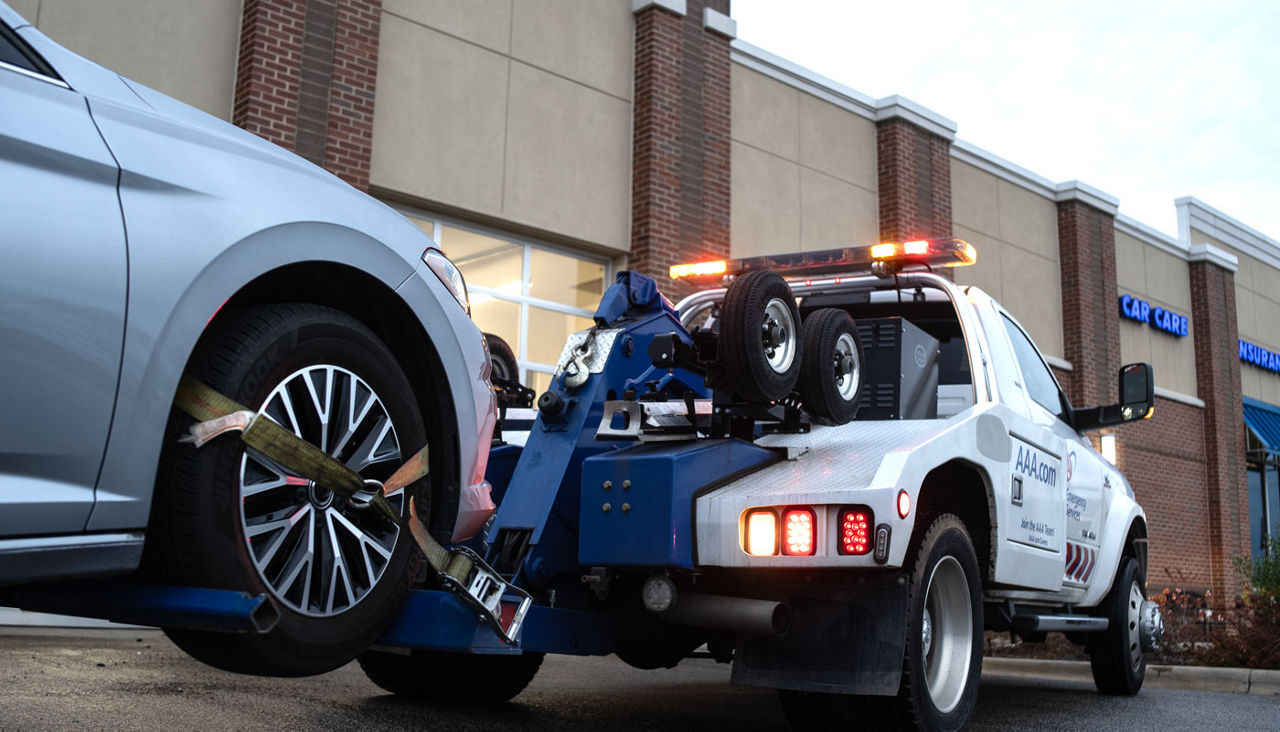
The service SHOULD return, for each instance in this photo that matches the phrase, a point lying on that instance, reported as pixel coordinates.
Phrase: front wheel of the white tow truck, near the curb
(1116, 656)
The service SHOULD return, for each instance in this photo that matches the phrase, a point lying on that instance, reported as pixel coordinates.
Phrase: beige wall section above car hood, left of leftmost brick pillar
(186, 49)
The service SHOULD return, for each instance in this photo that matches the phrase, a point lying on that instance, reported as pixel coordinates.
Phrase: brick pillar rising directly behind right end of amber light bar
(915, 170)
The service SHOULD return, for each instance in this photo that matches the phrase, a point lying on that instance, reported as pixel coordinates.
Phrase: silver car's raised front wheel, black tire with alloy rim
(226, 518)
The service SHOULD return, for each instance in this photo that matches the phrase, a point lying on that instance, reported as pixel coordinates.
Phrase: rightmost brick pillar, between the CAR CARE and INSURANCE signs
(1218, 381)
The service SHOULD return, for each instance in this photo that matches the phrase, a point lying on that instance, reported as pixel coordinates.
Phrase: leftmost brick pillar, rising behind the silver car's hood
(307, 77)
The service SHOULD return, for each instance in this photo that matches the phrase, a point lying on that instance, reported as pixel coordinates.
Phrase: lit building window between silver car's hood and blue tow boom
(531, 295)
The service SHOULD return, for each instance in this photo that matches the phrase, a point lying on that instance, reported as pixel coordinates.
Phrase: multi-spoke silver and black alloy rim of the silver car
(321, 555)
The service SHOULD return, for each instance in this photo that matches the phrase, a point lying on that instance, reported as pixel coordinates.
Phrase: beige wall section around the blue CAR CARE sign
(1162, 280)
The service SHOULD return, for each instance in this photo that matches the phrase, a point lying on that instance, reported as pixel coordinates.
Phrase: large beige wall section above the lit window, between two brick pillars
(513, 109)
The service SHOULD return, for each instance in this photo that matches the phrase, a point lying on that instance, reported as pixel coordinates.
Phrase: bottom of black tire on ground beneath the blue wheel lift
(452, 676)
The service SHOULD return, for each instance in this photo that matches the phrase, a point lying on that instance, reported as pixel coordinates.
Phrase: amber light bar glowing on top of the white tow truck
(947, 253)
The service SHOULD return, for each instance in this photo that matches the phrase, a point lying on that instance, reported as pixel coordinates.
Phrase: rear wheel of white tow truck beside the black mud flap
(944, 638)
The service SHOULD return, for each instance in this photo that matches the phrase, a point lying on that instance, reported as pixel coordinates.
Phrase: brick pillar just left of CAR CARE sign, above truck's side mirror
(1091, 322)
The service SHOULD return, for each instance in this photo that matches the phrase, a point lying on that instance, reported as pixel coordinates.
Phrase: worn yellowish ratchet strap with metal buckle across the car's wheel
(460, 571)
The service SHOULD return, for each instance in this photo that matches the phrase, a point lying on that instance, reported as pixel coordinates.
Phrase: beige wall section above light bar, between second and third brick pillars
(803, 171)
